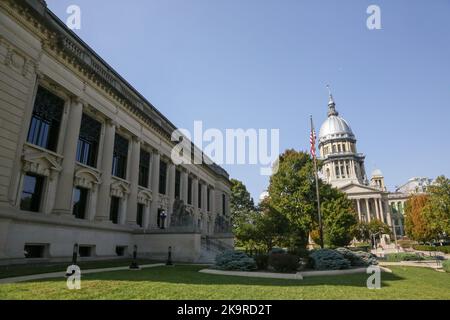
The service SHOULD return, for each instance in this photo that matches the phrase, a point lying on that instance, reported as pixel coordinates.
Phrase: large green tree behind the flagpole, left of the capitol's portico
(292, 193)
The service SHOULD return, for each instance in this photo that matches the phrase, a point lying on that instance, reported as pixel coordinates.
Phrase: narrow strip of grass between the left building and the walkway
(28, 269)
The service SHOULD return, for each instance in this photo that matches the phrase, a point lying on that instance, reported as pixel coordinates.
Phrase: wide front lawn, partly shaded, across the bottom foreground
(185, 282)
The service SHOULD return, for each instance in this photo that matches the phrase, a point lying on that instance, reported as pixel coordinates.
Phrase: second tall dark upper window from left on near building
(87, 147)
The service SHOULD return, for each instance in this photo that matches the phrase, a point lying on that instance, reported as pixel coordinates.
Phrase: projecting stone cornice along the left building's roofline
(61, 42)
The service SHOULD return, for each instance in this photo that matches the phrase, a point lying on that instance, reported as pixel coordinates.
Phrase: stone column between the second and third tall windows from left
(106, 167)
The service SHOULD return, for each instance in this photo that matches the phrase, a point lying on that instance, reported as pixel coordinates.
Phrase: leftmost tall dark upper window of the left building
(46, 119)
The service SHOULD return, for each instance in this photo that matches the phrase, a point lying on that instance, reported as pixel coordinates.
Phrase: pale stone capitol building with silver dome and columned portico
(344, 168)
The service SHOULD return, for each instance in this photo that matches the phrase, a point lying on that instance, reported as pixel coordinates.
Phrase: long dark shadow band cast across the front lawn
(189, 275)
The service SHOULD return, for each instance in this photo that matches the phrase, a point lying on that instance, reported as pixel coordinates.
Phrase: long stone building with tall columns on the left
(86, 159)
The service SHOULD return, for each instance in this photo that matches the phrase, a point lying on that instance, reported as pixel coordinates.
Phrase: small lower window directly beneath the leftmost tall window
(31, 192)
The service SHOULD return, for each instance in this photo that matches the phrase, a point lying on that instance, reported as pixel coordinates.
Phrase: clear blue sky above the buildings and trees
(265, 64)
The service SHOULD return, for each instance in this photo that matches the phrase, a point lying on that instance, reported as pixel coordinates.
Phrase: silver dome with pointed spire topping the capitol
(334, 127)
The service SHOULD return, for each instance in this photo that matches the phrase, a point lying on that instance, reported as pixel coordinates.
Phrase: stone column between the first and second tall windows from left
(63, 198)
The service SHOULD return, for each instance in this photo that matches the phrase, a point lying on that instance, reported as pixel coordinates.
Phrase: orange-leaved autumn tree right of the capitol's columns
(416, 226)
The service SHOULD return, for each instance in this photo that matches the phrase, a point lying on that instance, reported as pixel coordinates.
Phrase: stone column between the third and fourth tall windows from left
(134, 177)
